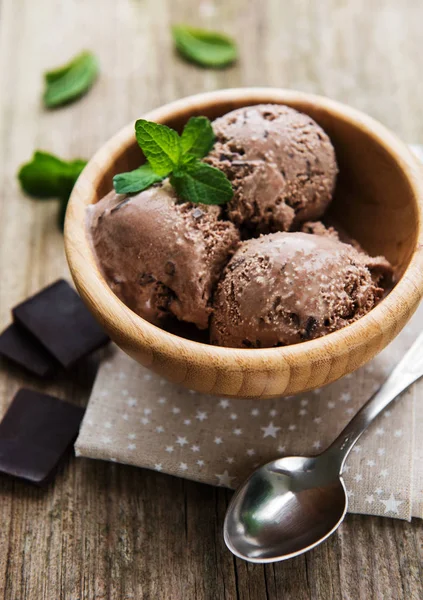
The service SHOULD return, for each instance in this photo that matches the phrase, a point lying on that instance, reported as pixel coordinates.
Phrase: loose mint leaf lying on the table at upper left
(67, 83)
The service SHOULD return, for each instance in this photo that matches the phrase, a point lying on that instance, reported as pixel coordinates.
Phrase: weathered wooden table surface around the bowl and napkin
(109, 531)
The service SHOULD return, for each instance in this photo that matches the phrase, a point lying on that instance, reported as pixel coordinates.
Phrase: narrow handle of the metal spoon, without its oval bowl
(408, 370)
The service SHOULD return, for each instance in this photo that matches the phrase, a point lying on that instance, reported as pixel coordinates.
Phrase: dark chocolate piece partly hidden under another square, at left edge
(21, 347)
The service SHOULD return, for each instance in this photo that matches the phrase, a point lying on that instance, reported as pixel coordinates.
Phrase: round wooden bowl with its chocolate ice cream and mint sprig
(270, 243)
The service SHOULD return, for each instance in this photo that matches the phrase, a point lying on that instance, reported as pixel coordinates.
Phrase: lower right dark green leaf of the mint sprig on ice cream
(203, 184)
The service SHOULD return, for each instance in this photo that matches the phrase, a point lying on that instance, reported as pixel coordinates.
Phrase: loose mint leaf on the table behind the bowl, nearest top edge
(203, 47)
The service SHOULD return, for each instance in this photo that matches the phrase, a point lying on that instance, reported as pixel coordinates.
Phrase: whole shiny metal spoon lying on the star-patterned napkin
(292, 504)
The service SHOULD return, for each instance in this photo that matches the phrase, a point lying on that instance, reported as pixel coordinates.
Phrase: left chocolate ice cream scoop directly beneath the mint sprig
(159, 256)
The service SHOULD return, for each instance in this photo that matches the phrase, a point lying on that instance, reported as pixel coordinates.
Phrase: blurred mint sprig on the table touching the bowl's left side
(47, 176)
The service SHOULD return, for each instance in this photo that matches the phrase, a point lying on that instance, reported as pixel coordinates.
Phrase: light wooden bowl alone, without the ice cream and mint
(378, 200)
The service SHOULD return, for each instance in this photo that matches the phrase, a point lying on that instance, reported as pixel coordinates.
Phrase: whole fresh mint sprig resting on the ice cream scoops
(177, 157)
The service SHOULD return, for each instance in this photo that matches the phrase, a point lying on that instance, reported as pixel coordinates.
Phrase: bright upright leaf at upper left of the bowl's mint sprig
(160, 144)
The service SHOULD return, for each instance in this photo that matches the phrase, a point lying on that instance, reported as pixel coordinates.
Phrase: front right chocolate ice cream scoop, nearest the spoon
(285, 288)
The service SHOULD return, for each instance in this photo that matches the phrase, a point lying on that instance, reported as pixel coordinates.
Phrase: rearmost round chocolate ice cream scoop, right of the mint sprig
(281, 164)
